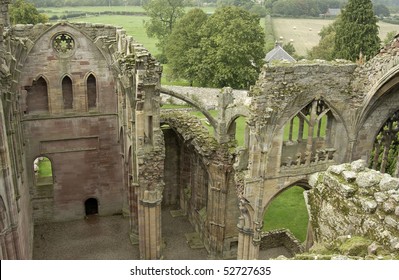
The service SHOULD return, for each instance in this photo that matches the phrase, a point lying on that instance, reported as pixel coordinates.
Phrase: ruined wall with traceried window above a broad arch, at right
(355, 100)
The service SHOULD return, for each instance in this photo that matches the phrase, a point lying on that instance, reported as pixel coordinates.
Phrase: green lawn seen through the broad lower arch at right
(288, 210)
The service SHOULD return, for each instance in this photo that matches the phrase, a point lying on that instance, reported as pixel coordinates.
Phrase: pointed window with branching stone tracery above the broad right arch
(308, 136)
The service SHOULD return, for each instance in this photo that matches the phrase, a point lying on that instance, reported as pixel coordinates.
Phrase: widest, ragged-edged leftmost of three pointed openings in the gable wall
(37, 96)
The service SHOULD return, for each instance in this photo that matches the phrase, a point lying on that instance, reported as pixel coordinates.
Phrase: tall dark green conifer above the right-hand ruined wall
(357, 31)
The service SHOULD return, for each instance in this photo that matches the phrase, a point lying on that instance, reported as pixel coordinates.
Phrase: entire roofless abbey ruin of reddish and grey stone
(88, 98)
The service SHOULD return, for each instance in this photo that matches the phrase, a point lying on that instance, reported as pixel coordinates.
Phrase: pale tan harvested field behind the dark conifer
(304, 32)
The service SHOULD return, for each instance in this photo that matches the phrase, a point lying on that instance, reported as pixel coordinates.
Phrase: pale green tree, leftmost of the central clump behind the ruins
(163, 16)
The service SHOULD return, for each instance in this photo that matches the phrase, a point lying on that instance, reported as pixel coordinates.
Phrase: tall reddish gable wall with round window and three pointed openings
(80, 142)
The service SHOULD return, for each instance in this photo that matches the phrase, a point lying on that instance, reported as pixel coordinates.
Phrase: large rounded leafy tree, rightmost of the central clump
(231, 49)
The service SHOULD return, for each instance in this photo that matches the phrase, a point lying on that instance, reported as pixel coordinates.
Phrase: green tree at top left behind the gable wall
(25, 13)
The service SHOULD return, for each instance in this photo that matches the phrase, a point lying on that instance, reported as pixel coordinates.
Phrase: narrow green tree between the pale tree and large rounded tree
(183, 44)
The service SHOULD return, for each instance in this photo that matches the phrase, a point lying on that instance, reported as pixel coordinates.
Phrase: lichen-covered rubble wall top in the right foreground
(352, 200)
